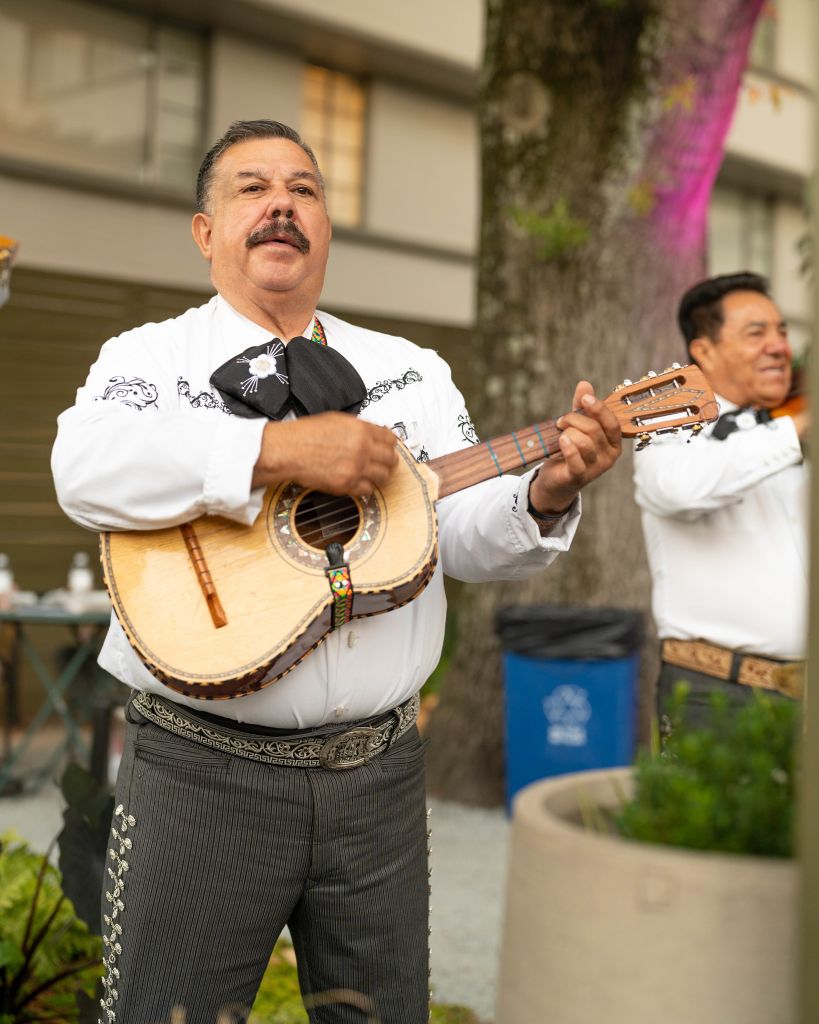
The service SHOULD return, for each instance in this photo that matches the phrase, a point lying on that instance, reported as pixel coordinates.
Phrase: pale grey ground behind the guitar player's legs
(468, 860)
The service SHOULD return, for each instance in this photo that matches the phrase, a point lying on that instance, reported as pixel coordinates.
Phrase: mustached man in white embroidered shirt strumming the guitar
(228, 827)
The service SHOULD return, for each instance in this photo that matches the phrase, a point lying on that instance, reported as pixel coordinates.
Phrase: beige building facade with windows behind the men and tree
(106, 110)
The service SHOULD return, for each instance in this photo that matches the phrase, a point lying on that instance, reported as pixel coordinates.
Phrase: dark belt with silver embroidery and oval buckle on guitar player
(337, 751)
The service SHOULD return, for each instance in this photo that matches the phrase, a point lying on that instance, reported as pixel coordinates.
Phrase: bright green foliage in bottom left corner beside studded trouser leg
(49, 960)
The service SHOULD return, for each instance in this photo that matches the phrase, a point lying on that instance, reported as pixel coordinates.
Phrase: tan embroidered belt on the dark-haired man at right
(785, 677)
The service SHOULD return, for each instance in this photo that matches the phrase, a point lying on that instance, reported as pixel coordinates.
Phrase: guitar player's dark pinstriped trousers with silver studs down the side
(212, 856)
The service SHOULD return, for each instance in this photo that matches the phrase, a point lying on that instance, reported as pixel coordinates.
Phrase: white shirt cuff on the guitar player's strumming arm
(232, 459)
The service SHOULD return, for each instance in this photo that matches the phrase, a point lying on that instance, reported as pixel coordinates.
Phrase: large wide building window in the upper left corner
(92, 90)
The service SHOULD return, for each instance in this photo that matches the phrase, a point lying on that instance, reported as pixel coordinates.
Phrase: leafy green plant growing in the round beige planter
(728, 787)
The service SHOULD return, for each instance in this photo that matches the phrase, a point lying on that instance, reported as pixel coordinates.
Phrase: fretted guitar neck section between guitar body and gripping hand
(502, 455)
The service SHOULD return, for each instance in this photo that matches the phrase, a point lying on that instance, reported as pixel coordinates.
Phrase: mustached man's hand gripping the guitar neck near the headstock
(590, 444)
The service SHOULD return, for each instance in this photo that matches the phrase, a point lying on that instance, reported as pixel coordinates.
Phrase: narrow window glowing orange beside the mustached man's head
(333, 125)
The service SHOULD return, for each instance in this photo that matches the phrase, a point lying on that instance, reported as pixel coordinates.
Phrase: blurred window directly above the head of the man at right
(741, 232)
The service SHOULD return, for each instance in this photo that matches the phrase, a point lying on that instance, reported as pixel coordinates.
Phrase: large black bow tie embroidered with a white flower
(303, 376)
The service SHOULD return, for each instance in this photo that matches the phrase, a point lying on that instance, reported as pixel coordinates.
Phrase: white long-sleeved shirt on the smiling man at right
(725, 525)
